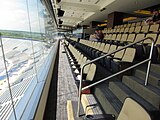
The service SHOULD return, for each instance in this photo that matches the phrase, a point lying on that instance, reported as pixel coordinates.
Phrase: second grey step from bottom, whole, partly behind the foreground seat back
(122, 92)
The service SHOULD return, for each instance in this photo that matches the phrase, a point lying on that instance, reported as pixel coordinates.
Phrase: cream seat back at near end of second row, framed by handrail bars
(129, 55)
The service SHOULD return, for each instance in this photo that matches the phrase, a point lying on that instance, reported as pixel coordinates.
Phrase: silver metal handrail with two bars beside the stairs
(111, 76)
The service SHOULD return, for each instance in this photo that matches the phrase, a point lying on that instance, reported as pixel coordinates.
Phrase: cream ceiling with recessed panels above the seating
(85, 11)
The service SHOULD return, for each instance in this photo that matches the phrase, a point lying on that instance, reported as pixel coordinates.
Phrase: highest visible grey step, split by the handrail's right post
(154, 79)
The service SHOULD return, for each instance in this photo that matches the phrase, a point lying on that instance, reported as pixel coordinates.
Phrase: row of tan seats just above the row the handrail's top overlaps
(135, 29)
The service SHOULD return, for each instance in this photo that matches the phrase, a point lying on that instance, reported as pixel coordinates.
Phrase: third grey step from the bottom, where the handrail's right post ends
(149, 93)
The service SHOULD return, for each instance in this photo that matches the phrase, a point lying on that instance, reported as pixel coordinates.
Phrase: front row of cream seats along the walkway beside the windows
(77, 60)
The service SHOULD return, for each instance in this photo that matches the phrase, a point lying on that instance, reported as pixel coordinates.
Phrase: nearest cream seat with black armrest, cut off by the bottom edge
(131, 110)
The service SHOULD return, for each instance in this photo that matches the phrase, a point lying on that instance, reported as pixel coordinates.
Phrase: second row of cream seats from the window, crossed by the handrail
(114, 62)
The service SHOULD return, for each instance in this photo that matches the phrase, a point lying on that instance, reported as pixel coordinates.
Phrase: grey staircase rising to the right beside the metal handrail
(111, 96)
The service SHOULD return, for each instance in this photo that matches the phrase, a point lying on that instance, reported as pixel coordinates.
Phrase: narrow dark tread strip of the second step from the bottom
(135, 96)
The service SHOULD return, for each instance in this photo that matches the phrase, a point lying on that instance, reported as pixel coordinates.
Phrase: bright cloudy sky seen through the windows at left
(13, 15)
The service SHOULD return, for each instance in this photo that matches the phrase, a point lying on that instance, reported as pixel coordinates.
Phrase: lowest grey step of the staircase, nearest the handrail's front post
(109, 102)
